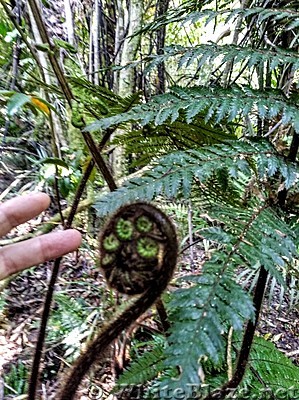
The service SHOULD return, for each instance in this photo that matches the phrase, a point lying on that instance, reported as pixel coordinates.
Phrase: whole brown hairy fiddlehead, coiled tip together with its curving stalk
(138, 252)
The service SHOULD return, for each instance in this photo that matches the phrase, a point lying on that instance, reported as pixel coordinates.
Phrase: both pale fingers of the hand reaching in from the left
(16, 257)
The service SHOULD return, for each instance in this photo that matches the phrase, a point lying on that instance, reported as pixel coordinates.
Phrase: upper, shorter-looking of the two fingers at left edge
(21, 209)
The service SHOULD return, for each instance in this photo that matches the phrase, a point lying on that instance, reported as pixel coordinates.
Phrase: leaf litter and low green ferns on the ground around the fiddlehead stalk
(81, 303)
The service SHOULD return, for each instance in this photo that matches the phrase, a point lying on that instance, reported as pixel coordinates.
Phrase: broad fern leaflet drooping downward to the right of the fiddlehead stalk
(202, 312)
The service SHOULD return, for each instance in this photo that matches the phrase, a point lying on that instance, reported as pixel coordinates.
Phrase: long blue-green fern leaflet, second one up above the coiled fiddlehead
(214, 101)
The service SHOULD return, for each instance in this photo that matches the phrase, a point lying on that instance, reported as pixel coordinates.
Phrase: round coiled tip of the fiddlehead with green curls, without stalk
(137, 246)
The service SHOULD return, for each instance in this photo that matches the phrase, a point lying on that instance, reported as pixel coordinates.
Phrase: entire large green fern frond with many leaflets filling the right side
(230, 146)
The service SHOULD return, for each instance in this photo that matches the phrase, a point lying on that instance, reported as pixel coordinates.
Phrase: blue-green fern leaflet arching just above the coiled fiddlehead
(179, 171)
